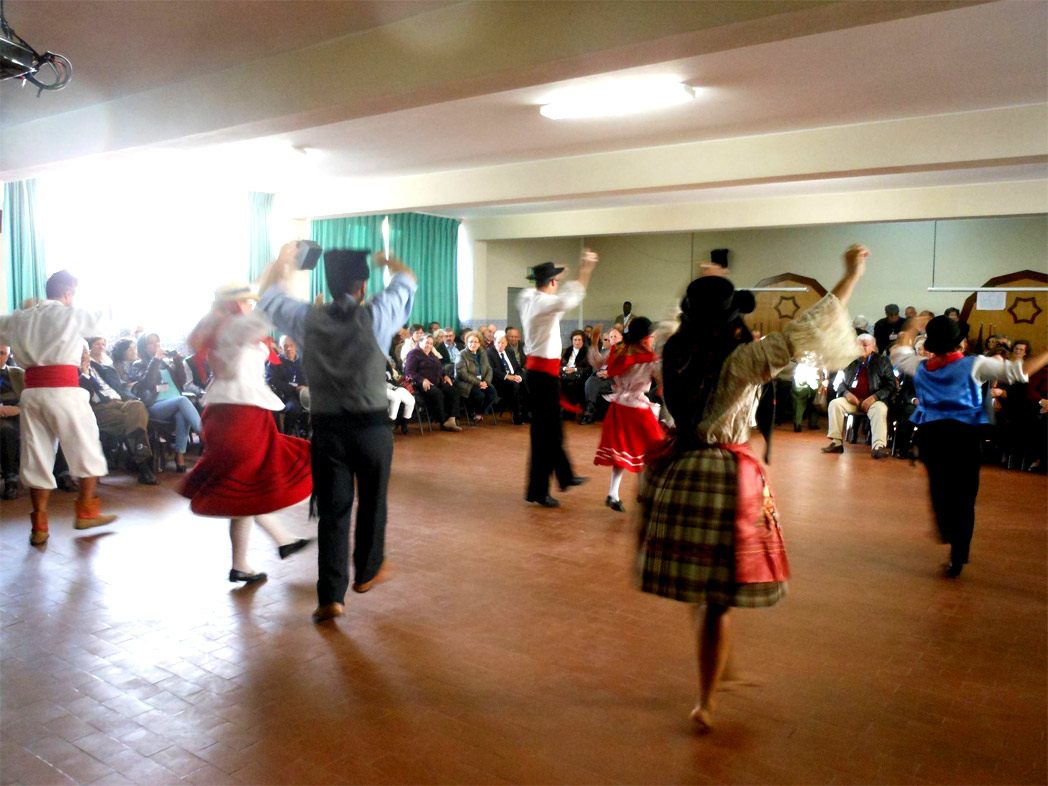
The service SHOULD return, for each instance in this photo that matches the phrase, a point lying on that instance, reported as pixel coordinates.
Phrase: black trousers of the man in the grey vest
(348, 450)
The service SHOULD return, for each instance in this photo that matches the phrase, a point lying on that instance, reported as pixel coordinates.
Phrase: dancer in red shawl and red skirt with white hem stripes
(630, 426)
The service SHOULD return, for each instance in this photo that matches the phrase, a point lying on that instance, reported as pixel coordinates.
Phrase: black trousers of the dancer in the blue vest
(952, 453)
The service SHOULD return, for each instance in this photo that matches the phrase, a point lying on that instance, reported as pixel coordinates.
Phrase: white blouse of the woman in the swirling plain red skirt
(238, 363)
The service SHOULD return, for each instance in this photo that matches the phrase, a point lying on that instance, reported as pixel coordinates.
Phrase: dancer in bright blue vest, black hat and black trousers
(950, 410)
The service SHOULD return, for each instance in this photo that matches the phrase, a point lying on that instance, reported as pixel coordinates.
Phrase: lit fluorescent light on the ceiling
(619, 98)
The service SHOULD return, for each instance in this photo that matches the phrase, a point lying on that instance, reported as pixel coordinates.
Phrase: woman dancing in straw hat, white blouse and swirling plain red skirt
(249, 469)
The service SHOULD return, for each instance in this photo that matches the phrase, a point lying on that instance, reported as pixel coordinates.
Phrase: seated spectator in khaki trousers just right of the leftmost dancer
(119, 413)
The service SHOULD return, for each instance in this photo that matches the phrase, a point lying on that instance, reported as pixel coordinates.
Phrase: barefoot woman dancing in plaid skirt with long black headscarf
(710, 533)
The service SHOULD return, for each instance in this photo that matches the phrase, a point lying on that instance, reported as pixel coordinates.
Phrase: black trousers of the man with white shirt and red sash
(548, 435)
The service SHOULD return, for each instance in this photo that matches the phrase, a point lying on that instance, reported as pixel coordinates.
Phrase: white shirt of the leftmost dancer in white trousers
(51, 334)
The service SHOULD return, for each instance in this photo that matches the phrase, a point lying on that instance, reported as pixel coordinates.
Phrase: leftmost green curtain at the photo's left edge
(26, 273)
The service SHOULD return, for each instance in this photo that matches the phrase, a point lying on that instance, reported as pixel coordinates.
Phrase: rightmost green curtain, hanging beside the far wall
(429, 246)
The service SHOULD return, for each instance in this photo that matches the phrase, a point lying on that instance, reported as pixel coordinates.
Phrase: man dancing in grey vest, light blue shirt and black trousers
(344, 355)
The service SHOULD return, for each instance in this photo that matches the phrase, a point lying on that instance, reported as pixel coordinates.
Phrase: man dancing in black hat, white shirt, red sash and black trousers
(541, 310)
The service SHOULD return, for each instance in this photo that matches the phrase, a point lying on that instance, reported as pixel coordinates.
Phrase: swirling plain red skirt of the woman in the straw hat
(248, 468)
